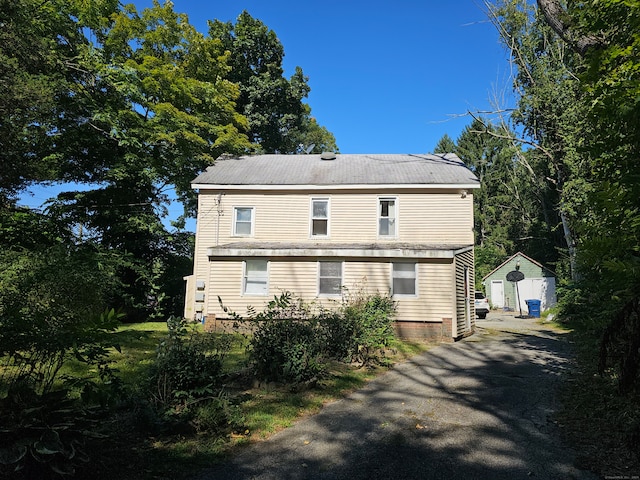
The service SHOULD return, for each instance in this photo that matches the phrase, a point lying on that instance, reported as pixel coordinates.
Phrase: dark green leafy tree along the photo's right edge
(604, 34)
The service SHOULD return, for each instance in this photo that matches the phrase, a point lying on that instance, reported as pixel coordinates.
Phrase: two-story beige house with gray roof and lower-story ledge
(317, 224)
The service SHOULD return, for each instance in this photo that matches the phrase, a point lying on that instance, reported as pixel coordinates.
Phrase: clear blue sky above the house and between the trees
(385, 77)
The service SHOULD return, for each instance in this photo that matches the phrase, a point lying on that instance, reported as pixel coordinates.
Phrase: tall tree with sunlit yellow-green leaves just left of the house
(159, 112)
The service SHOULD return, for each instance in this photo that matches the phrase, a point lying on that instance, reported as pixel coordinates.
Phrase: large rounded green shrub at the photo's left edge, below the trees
(51, 310)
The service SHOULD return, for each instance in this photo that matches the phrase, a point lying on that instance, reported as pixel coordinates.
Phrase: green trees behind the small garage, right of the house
(513, 208)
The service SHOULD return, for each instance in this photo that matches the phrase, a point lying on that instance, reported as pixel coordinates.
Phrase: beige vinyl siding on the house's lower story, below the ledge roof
(435, 299)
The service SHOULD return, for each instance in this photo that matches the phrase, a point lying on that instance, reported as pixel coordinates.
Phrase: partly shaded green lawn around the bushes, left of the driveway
(131, 442)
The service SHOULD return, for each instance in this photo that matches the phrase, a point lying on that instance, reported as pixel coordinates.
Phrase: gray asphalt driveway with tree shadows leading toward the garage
(477, 409)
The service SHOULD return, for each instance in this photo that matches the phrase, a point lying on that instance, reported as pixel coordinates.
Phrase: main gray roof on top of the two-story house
(346, 169)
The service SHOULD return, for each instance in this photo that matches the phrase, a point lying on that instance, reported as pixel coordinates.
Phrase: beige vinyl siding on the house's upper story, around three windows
(423, 217)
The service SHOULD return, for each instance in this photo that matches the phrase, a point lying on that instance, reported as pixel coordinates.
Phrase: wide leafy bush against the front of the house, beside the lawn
(292, 344)
